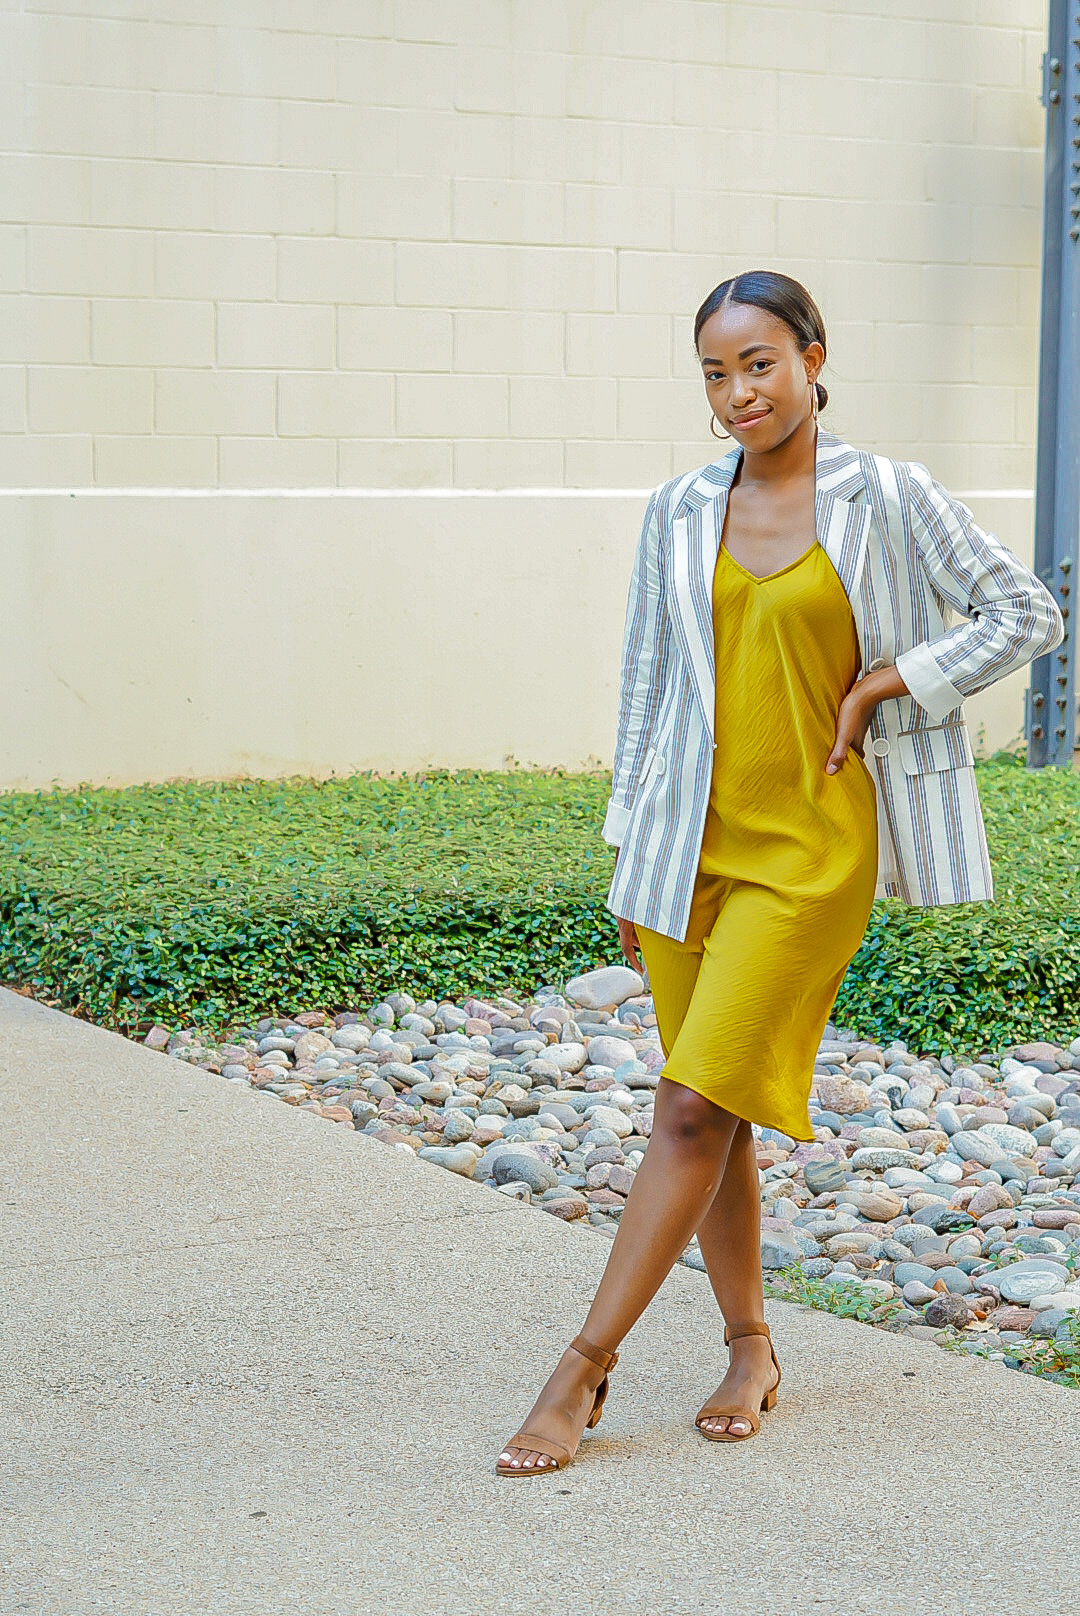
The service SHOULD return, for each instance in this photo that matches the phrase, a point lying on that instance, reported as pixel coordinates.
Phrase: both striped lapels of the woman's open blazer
(698, 523)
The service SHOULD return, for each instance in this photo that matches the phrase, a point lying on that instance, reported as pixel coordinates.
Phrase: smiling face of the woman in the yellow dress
(756, 379)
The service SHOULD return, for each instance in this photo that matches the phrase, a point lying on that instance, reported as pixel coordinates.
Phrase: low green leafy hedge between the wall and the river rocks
(213, 903)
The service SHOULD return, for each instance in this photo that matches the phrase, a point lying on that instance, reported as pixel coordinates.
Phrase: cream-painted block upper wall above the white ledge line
(420, 243)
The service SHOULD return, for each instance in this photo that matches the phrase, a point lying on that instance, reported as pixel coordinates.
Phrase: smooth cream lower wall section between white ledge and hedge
(159, 636)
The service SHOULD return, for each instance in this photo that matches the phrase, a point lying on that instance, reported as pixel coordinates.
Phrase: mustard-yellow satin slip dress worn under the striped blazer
(790, 854)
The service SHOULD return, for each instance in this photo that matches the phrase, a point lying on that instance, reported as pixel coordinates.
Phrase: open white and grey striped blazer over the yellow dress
(906, 553)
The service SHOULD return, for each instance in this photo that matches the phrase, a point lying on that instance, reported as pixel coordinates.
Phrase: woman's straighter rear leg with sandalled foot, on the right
(730, 1237)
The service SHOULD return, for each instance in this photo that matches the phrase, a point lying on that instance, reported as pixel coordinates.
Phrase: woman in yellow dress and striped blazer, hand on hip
(787, 602)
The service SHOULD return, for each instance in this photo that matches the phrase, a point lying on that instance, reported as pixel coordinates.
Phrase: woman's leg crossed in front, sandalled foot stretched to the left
(675, 1185)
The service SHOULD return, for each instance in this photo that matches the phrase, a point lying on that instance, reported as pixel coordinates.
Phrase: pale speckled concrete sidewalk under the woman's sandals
(256, 1363)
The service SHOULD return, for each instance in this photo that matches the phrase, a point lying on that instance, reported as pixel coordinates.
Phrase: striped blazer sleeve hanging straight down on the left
(646, 649)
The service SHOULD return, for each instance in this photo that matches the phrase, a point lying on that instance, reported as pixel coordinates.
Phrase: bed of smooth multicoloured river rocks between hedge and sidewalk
(950, 1192)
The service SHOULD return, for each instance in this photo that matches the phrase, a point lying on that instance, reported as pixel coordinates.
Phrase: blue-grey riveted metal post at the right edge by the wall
(1052, 705)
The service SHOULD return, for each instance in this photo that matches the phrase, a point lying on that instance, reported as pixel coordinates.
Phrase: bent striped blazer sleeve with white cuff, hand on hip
(1013, 617)
